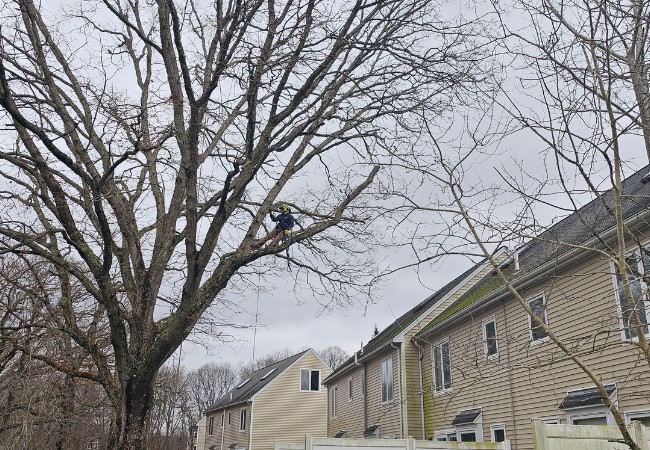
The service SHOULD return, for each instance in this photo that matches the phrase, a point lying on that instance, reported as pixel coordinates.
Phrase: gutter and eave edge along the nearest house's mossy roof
(531, 277)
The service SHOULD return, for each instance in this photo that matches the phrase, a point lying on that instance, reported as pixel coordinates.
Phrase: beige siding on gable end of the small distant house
(281, 412)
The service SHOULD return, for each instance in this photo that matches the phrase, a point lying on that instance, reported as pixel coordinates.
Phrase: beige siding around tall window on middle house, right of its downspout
(386, 415)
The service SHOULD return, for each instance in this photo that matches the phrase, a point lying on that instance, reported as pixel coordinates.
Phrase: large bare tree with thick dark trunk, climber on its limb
(148, 142)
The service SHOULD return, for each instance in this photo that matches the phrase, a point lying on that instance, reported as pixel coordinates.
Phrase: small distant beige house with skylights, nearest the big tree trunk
(282, 402)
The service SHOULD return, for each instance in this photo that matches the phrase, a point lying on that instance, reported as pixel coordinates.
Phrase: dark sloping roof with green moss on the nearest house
(591, 222)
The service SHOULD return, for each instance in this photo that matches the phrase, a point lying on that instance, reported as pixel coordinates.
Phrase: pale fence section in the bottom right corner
(586, 437)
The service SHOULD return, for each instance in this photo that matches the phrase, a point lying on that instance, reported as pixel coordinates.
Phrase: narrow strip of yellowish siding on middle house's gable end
(414, 391)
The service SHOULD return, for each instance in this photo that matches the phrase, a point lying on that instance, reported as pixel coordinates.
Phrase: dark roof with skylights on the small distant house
(259, 379)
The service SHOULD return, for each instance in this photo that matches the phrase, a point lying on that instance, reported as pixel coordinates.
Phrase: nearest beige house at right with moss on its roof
(488, 369)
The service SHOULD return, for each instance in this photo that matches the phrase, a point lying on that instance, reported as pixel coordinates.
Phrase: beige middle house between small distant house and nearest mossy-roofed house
(378, 391)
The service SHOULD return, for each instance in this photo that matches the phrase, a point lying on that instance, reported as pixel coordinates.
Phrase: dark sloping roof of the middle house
(405, 321)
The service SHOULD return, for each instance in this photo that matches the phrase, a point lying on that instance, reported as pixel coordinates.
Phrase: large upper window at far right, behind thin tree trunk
(637, 266)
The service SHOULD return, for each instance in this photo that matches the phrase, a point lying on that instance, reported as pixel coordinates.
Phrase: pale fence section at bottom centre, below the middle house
(316, 443)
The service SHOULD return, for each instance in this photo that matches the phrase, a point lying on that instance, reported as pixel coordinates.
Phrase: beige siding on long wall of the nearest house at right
(581, 310)
